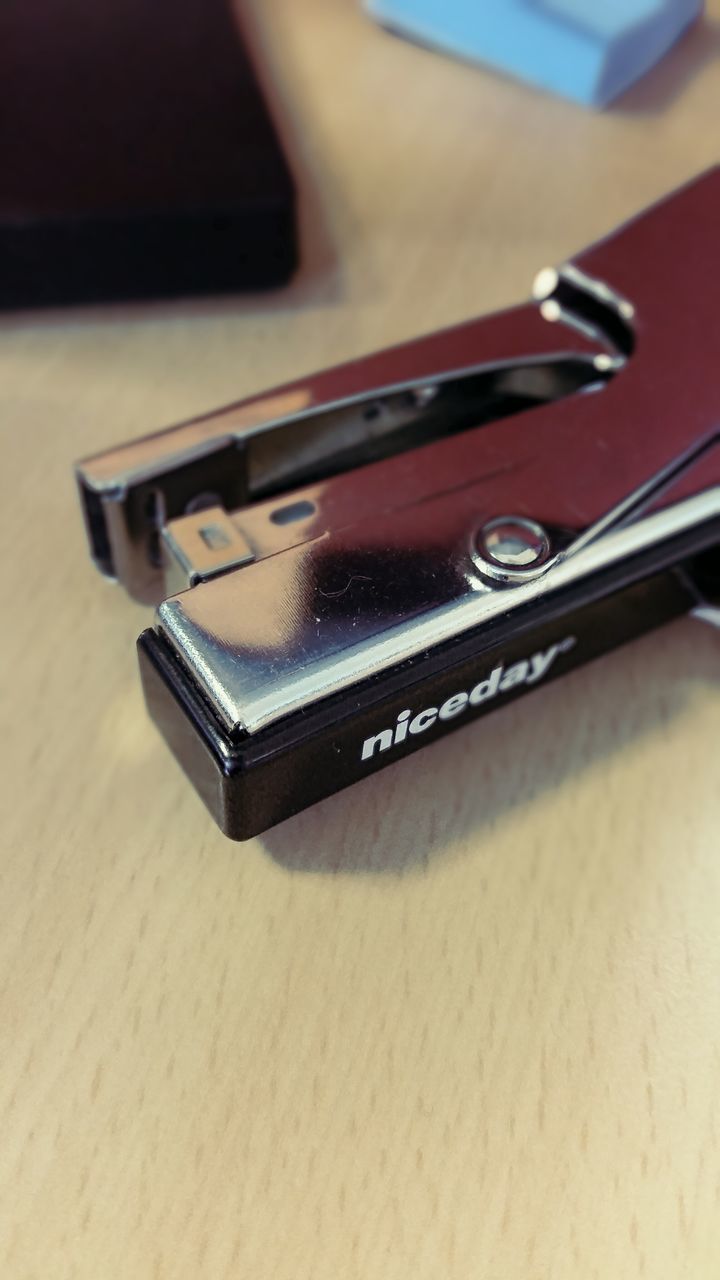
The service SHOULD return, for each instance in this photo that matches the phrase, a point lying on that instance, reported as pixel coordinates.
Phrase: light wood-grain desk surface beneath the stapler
(464, 1021)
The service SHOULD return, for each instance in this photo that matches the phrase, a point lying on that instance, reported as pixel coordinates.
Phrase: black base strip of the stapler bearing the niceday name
(252, 783)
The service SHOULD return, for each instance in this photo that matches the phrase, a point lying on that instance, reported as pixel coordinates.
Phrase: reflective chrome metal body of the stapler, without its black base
(405, 455)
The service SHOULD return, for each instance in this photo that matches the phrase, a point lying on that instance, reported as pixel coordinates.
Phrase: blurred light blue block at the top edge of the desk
(589, 51)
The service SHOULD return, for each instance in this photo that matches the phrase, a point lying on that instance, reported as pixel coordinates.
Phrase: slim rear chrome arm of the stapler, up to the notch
(340, 420)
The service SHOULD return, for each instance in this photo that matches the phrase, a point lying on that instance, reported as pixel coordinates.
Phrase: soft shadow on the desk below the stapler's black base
(423, 807)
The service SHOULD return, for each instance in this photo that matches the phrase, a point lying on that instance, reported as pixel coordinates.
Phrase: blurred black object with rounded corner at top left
(138, 158)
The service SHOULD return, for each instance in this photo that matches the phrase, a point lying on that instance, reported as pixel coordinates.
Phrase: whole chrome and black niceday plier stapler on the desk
(357, 564)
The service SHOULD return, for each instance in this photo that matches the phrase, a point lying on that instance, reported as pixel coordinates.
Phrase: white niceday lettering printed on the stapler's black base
(500, 682)
